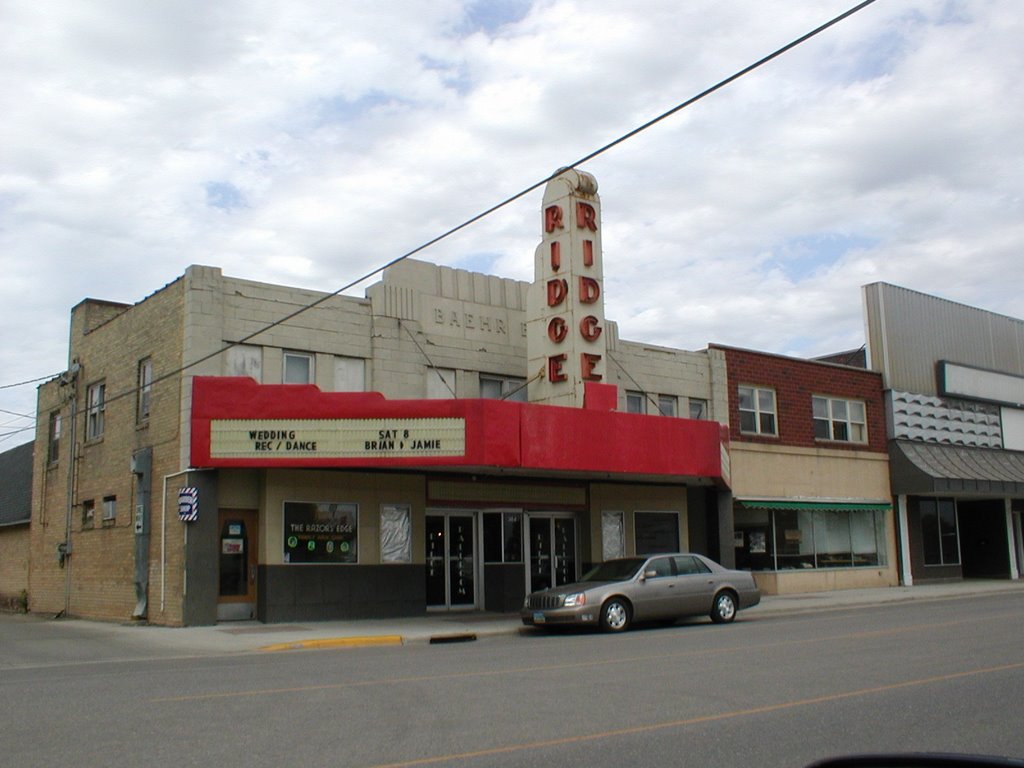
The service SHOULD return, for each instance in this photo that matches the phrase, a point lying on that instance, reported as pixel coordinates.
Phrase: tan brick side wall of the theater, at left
(98, 580)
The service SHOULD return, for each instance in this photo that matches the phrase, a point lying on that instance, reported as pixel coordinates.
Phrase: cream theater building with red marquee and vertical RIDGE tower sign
(228, 449)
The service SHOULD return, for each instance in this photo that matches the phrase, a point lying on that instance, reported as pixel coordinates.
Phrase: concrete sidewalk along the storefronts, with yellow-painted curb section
(243, 637)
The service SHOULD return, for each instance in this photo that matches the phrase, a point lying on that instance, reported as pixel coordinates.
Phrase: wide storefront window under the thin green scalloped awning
(792, 539)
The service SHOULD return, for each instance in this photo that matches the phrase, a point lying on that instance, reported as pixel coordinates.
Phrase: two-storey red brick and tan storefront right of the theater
(810, 474)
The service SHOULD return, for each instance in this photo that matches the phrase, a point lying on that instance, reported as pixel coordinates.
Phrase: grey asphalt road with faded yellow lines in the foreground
(945, 675)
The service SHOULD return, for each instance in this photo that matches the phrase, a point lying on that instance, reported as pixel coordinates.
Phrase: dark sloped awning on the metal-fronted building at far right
(930, 468)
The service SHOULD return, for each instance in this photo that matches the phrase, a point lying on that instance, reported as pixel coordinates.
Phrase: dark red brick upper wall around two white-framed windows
(795, 382)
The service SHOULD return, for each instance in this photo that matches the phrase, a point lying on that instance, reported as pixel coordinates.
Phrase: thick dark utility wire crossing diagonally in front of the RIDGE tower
(473, 221)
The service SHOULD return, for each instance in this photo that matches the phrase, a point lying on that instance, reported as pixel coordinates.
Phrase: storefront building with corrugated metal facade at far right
(955, 399)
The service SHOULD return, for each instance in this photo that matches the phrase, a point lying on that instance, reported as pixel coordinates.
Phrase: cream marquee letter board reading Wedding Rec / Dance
(336, 439)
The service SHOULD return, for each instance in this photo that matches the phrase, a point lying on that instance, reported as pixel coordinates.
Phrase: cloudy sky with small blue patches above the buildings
(310, 143)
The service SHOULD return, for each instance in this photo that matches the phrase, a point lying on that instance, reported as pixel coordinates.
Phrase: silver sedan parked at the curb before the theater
(616, 593)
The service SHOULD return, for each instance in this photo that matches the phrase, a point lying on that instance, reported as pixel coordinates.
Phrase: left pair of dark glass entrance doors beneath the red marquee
(451, 561)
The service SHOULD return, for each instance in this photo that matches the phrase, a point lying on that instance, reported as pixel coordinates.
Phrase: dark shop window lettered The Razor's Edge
(321, 533)
